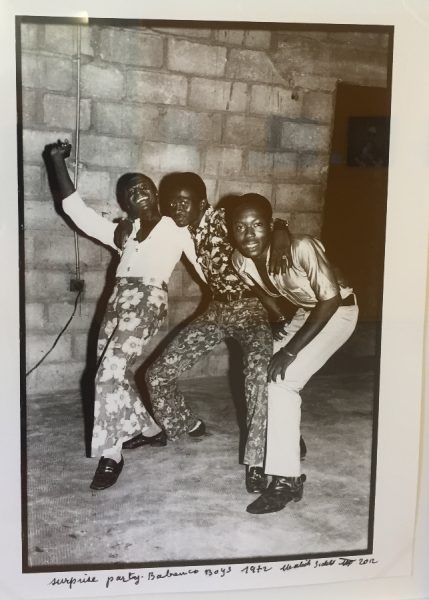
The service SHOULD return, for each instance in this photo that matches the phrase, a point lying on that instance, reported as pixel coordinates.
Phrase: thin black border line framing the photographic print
(125, 22)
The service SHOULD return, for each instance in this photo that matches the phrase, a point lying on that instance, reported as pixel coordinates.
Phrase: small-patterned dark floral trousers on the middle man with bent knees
(244, 320)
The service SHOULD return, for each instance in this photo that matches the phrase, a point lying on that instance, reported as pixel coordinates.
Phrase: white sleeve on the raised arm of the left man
(88, 220)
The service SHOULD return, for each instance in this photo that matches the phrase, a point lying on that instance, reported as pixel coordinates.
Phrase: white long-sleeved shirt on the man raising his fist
(153, 259)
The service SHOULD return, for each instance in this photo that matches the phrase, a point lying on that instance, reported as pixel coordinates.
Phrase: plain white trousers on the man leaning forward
(284, 401)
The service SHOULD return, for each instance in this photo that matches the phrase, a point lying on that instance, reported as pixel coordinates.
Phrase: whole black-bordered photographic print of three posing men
(202, 212)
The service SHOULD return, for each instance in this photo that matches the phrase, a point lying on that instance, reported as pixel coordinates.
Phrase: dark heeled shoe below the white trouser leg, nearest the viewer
(280, 491)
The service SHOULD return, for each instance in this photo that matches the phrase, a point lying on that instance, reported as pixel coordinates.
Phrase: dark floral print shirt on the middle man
(214, 251)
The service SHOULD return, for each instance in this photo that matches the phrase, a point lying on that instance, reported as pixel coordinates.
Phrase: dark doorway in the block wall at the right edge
(355, 208)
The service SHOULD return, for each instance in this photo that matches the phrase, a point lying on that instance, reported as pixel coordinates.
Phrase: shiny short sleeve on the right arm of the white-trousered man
(310, 255)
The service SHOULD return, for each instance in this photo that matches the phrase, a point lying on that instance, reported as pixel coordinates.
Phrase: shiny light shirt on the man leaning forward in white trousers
(309, 278)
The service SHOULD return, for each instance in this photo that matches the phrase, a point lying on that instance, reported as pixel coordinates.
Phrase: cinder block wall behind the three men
(248, 110)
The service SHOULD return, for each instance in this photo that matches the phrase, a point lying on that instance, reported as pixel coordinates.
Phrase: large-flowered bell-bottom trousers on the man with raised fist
(133, 316)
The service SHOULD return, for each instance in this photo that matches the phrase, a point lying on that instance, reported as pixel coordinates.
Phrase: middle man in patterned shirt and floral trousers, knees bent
(234, 311)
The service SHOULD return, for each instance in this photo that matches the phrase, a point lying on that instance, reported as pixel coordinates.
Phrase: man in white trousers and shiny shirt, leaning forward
(325, 318)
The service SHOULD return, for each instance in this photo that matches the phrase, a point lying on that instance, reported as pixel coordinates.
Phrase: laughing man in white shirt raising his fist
(135, 311)
